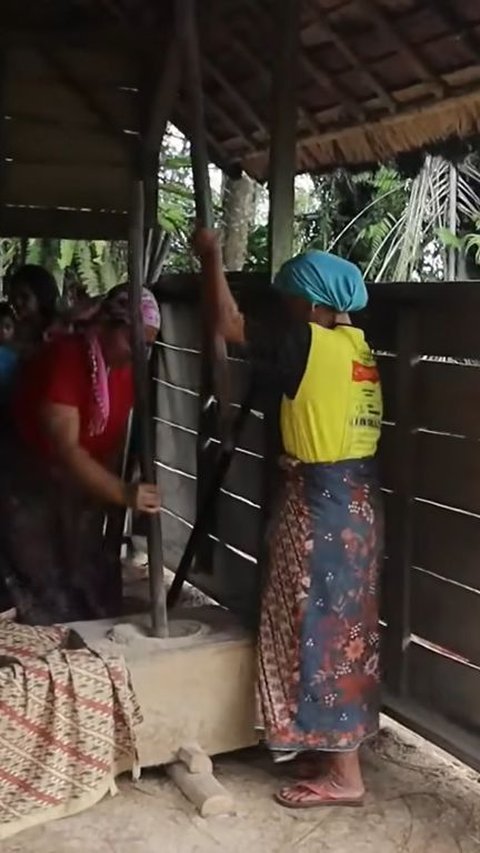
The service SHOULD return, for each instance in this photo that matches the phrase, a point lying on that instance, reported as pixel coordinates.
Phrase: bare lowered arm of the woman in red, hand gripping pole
(62, 426)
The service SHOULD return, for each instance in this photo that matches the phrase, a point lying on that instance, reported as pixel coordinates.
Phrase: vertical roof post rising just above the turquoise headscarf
(283, 133)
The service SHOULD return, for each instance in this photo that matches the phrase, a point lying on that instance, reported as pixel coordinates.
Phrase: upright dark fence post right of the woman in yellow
(399, 569)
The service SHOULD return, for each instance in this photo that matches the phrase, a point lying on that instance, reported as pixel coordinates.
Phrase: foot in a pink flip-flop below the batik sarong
(322, 792)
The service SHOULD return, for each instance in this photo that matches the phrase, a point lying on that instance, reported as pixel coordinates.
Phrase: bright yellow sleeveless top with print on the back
(337, 411)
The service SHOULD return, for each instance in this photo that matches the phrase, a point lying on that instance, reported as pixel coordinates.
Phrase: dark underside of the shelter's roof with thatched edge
(377, 78)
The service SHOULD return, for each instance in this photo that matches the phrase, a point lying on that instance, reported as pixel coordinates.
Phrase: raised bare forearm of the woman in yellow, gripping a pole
(224, 313)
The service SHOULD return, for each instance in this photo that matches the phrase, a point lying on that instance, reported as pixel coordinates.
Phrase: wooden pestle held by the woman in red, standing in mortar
(142, 408)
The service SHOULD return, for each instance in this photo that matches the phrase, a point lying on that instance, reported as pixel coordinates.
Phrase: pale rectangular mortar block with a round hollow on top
(199, 689)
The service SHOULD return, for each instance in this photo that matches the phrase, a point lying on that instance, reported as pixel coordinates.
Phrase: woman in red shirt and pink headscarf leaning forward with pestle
(70, 414)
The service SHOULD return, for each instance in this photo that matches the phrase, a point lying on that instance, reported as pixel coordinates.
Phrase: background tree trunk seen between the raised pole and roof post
(238, 201)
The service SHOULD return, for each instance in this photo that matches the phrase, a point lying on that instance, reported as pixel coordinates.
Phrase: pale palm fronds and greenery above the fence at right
(434, 233)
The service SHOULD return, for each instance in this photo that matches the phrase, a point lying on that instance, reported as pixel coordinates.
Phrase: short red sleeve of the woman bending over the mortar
(66, 372)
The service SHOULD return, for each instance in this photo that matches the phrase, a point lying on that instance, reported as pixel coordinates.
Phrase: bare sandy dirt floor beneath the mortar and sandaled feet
(419, 801)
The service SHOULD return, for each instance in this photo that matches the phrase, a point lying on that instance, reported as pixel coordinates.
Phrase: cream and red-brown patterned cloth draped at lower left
(67, 718)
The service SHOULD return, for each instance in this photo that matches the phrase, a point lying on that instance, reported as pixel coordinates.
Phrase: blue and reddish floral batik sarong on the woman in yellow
(319, 636)
